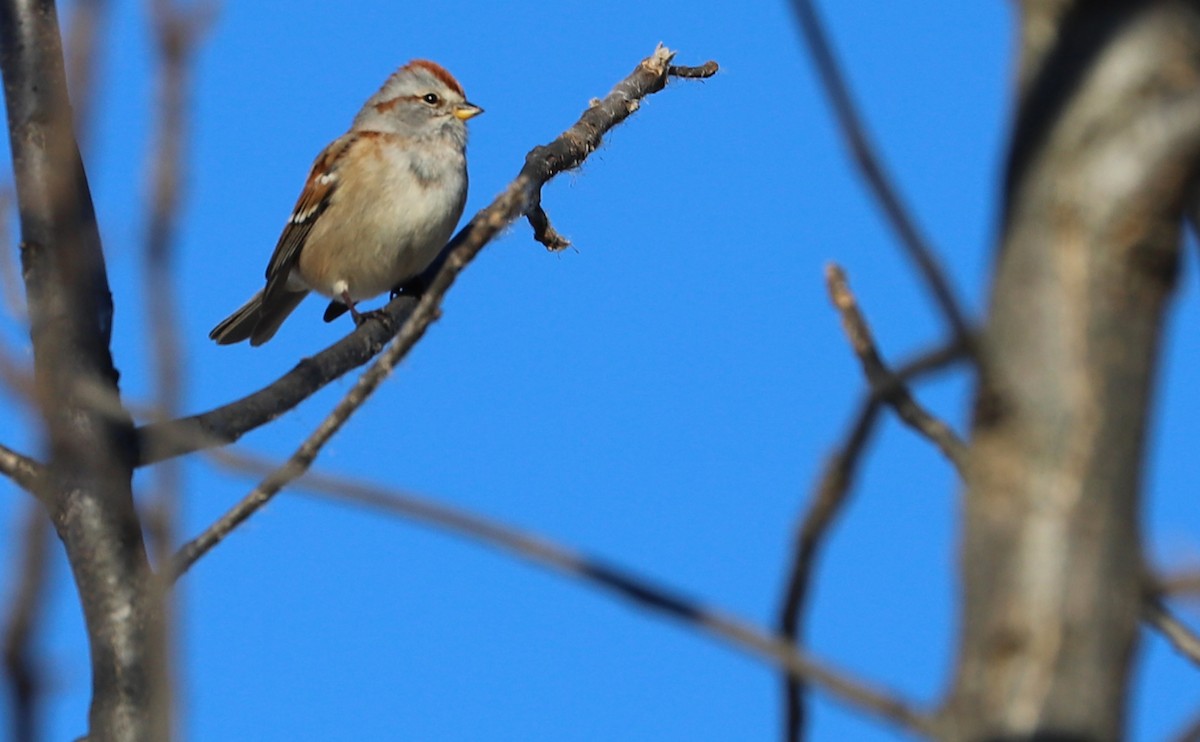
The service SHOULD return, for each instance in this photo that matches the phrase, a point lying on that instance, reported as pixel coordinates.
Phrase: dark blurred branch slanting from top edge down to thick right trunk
(872, 166)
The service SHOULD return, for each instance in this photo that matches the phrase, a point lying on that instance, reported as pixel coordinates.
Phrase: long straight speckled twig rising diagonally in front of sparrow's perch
(543, 164)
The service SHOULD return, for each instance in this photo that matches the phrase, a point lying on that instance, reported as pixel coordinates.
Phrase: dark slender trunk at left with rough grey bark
(91, 453)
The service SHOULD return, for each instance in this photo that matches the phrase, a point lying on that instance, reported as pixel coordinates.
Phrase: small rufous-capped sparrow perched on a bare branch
(380, 204)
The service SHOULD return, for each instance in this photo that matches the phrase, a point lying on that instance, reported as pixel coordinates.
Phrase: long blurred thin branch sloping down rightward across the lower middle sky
(555, 558)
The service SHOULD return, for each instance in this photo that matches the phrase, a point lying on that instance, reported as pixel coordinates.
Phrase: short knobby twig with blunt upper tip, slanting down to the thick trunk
(881, 378)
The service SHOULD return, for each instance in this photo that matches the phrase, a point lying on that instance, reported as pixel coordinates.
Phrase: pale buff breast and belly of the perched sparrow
(386, 226)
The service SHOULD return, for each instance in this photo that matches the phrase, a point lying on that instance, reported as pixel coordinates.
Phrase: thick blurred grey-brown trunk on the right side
(1102, 159)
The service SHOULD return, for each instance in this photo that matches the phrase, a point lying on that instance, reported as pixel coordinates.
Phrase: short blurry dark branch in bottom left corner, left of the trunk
(32, 573)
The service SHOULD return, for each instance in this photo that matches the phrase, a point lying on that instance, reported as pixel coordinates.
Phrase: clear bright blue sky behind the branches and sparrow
(662, 396)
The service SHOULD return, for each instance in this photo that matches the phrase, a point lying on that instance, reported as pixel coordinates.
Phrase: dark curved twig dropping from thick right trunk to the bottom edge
(829, 500)
